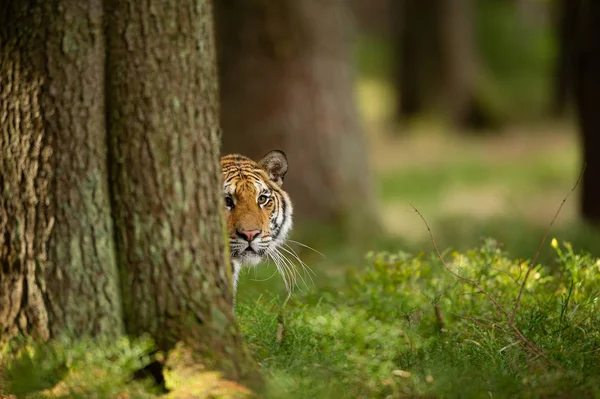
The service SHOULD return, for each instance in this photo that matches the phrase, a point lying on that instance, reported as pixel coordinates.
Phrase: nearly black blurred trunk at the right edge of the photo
(586, 89)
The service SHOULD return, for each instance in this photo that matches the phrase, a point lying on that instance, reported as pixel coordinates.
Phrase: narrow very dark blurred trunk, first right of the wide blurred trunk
(417, 59)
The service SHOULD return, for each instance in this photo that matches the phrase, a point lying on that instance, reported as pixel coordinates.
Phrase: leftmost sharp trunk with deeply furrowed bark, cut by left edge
(57, 261)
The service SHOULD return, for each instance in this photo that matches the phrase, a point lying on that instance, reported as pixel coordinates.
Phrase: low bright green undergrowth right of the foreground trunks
(406, 326)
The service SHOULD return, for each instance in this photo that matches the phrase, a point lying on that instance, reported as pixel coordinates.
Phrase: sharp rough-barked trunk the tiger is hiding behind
(164, 137)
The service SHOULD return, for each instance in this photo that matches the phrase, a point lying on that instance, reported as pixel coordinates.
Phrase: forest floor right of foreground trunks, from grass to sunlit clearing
(370, 327)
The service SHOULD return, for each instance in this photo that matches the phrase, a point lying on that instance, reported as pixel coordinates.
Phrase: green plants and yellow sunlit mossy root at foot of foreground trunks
(87, 368)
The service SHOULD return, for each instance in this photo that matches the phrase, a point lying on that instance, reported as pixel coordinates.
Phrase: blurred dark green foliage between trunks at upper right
(517, 54)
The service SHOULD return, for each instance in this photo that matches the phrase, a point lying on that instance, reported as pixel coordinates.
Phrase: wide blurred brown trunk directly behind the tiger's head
(287, 82)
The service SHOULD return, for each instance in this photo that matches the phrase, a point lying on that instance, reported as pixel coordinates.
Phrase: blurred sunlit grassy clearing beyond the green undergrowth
(512, 176)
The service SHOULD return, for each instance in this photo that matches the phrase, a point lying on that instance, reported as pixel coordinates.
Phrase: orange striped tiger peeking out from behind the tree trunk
(258, 211)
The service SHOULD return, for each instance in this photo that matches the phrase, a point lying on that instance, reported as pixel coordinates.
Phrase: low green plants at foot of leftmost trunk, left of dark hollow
(75, 369)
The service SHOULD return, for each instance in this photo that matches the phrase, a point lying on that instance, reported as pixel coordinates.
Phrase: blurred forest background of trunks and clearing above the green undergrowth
(480, 113)
